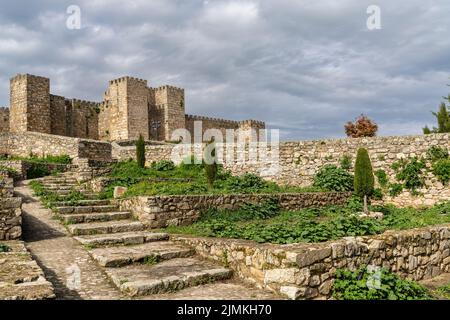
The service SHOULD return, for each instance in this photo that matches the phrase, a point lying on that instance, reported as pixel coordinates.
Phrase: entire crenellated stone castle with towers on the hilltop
(129, 108)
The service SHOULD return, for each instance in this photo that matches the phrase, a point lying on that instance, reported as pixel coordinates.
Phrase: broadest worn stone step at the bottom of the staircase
(167, 276)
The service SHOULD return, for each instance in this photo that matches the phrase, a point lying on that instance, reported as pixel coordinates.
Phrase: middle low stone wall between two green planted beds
(162, 211)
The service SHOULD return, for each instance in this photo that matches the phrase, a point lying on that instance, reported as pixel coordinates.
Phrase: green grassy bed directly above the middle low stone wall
(186, 179)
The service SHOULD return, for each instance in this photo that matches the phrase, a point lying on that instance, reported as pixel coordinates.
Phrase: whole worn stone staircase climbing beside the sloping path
(139, 262)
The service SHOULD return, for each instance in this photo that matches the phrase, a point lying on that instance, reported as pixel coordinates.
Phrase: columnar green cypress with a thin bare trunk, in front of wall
(364, 180)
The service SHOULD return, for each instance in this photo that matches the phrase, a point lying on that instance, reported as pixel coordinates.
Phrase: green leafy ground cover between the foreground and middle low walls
(265, 223)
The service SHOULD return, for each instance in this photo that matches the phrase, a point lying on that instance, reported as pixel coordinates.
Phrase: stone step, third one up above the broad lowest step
(105, 227)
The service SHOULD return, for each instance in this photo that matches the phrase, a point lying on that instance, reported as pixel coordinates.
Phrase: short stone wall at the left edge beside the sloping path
(10, 212)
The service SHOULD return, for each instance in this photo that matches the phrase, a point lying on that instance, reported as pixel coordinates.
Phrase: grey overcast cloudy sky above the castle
(303, 66)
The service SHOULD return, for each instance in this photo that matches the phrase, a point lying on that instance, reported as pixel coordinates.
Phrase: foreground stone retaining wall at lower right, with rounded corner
(307, 271)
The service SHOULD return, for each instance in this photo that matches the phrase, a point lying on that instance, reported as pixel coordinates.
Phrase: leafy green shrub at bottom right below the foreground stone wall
(365, 285)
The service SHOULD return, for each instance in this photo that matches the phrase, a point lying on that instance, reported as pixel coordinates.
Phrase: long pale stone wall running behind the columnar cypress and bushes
(299, 161)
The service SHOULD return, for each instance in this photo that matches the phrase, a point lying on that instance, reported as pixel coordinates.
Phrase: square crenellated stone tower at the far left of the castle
(30, 104)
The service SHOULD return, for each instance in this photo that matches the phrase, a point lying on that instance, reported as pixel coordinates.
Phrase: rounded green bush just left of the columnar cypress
(332, 178)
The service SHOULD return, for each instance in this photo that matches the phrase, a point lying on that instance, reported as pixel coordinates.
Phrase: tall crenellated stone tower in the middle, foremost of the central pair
(124, 113)
